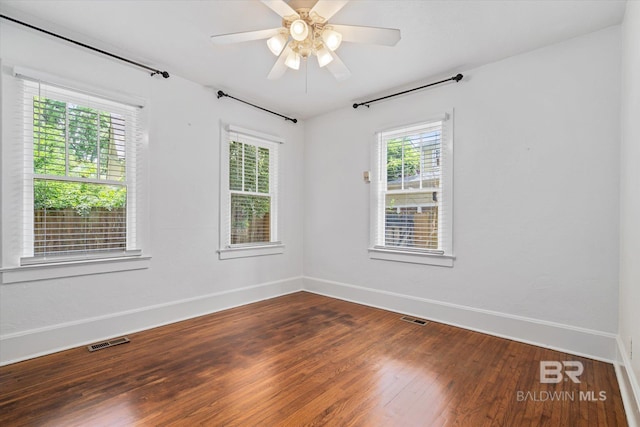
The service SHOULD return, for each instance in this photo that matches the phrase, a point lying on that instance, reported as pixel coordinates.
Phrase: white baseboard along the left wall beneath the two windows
(39, 342)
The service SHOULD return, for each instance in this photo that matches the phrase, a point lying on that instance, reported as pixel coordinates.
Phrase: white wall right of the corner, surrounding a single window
(535, 194)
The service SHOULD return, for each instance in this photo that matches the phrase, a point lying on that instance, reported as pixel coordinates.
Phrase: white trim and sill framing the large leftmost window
(15, 267)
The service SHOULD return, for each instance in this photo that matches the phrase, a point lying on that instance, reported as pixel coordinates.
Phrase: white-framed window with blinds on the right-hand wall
(412, 197)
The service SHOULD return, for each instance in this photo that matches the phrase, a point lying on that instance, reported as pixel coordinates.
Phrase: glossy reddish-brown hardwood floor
(304, 359)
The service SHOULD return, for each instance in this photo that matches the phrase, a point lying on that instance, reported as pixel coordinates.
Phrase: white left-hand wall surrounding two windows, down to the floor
(185, 278)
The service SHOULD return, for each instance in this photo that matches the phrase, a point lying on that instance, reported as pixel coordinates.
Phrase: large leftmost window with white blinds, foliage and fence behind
(80, 169)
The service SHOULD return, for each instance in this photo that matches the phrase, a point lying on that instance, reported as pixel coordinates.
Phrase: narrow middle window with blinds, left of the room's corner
(250, 196)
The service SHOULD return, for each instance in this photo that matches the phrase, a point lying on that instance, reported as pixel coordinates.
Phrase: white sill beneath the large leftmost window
(45, 271)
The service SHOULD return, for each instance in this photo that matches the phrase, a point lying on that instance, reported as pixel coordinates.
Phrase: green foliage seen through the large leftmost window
(77, 142)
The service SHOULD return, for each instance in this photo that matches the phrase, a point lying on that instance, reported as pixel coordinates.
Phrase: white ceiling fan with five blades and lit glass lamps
(306, 32)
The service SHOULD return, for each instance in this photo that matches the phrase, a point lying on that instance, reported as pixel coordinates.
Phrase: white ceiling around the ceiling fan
(439, 39)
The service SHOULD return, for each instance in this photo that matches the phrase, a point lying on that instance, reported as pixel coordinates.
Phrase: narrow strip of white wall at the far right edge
(630, 200)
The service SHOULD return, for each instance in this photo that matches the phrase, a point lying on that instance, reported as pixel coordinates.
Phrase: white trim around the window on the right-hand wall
(444, 257)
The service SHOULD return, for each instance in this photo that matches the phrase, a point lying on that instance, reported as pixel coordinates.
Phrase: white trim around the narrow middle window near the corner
(225, 249)
